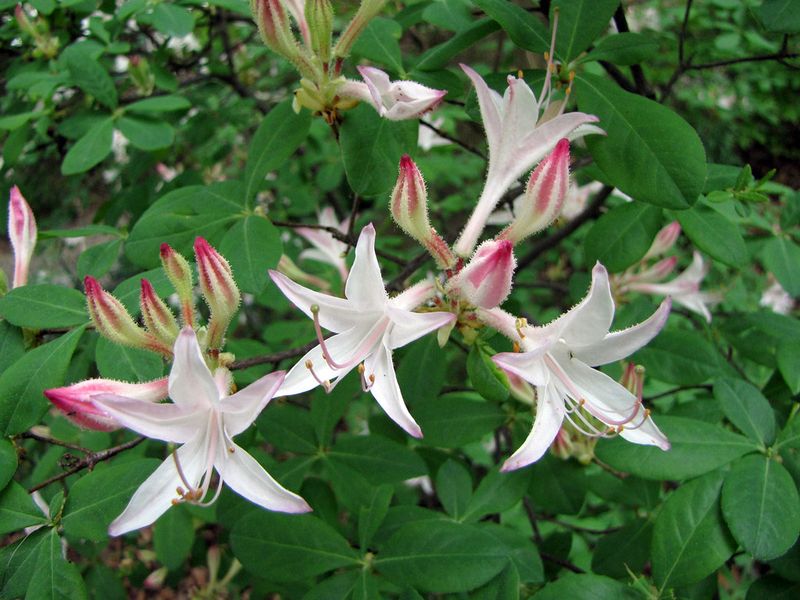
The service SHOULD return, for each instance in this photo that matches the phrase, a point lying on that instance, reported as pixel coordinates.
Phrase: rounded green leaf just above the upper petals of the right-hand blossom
(623, 235)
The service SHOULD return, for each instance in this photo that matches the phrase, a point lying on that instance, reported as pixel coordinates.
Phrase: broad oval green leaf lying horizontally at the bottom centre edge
(441, 556)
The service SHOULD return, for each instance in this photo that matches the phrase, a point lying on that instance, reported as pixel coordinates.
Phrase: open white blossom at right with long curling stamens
(558, 360)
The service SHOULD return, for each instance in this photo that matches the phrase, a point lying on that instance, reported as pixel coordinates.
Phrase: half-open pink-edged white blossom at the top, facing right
(394, 100)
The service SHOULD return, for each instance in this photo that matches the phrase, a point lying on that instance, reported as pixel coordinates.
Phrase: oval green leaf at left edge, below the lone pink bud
(44, 306)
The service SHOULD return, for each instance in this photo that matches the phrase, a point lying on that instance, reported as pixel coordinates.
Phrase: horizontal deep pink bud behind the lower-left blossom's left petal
(75, 401)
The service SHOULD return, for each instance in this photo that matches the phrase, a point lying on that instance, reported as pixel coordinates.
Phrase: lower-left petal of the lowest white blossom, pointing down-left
(156, 494)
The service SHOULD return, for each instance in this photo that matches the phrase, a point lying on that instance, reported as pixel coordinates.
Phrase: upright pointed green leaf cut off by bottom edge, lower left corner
(56, 579)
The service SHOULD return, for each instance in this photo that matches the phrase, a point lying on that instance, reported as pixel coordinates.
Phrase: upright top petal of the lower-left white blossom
(190, 382)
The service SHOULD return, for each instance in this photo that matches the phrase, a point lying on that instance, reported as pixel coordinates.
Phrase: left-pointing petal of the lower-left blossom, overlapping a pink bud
(169, 422)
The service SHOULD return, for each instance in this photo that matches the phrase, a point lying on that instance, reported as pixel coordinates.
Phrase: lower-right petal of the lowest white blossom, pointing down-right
(247, 478)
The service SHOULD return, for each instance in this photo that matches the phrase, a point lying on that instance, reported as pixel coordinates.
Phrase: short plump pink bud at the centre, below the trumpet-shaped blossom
(486, 280)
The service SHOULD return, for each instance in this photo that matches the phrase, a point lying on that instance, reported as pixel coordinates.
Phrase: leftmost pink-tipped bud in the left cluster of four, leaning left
(112, 320)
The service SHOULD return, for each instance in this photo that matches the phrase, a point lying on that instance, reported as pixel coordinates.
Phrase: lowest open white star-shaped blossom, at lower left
(204, 420)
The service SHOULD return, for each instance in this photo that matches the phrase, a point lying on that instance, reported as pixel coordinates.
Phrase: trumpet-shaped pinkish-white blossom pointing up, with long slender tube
(521, 131)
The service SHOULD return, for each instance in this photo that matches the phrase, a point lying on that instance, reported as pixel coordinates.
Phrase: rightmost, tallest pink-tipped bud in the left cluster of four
(219, 290)
